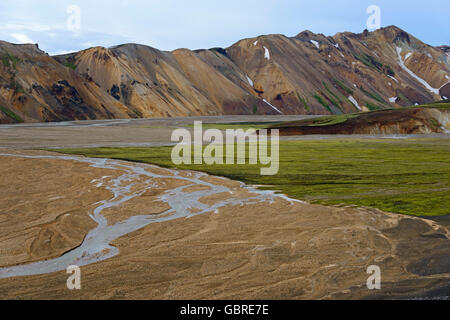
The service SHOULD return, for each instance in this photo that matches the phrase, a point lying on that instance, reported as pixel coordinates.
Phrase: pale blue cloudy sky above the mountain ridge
(61, 26)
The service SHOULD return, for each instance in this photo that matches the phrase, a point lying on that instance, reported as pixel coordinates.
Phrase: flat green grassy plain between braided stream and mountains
(403, 176)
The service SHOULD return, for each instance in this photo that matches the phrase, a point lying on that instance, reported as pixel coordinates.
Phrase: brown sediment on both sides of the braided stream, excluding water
(263, 250)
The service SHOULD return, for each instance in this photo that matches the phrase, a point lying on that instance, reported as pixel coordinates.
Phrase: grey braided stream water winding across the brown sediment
(96, 246)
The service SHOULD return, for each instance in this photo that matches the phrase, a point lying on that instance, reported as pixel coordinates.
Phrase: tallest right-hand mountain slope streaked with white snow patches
(345, 72)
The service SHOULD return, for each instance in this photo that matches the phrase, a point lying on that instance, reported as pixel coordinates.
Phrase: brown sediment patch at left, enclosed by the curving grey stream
(44, 207)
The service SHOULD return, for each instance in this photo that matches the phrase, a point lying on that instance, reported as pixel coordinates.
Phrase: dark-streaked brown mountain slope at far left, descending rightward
(34, 86)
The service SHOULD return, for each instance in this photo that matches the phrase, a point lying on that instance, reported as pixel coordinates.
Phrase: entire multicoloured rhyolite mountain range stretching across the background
(306, 74)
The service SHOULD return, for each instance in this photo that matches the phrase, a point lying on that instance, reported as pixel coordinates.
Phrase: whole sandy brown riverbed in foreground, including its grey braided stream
(257, 245)
